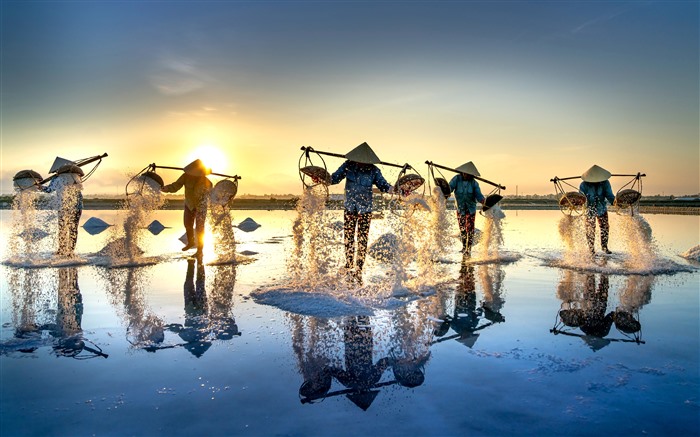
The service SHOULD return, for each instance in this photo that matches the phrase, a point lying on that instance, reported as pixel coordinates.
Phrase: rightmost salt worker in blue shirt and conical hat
(597, 189)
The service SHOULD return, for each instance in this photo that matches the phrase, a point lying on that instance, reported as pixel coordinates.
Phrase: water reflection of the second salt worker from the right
(466, 317)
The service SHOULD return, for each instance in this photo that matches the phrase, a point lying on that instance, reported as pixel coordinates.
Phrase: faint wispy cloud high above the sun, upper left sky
(175, 76)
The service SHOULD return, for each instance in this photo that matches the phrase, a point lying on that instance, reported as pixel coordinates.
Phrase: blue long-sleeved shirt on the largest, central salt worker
(358, 185)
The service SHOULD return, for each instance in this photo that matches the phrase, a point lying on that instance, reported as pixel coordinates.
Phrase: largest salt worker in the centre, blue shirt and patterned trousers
(361, 173)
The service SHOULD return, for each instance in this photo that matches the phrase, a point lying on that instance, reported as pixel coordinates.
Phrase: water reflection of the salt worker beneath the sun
(207, 318)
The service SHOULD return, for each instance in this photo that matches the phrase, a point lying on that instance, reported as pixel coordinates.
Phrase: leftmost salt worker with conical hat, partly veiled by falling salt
(67, 184)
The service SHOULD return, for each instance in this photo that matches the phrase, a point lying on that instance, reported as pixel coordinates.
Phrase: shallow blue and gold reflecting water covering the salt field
(169, 346)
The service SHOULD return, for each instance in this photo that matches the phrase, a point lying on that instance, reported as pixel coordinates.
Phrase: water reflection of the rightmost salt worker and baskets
(585, 303)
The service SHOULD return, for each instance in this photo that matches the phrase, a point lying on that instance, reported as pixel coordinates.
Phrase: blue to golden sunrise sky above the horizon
(527, 90)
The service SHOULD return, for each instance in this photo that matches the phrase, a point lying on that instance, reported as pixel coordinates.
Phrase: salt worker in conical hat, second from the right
(467, 193)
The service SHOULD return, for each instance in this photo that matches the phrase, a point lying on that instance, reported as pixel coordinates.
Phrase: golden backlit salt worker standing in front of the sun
(197, 188)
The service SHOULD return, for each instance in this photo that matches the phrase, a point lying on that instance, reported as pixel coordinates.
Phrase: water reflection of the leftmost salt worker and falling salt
(34, 315)
